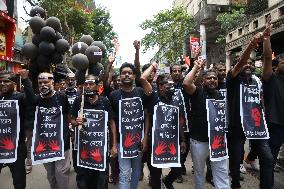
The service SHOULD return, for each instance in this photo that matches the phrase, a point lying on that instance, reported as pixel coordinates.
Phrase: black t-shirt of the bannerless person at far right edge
(273, 93)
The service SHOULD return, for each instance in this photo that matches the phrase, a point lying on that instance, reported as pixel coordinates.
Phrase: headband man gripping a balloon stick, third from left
(88, 177)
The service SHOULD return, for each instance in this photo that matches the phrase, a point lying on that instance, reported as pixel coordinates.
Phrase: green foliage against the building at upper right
(228, 21)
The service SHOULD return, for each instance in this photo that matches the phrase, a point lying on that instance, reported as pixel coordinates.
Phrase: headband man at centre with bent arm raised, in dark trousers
(164, 93)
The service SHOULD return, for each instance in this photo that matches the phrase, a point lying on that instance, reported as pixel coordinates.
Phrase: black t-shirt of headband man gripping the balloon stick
(101, 104)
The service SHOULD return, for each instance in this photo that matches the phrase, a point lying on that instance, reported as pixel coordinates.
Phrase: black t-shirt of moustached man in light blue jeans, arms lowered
(119, 94)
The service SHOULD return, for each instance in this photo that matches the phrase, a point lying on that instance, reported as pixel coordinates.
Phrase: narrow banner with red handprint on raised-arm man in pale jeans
(216, 118)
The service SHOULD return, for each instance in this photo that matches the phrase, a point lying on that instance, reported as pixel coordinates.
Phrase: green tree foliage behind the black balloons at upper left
(76, 21)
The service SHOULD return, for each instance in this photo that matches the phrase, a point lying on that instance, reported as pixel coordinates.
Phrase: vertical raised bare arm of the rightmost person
(267, 54)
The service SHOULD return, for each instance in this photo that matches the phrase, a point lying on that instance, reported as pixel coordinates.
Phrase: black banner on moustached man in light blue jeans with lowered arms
(131, 124)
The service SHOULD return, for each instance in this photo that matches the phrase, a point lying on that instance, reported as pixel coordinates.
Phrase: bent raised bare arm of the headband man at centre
(148, 89)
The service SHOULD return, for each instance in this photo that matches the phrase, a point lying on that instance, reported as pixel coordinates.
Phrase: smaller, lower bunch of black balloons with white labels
(87, 56)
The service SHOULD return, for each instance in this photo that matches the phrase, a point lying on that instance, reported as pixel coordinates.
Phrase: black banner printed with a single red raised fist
(252, 115)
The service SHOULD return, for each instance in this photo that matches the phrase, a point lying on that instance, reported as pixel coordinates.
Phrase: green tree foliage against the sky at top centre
(167, 30)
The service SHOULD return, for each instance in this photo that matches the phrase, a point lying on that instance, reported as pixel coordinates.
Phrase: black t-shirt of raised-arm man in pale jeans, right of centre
(198, 129)
